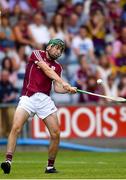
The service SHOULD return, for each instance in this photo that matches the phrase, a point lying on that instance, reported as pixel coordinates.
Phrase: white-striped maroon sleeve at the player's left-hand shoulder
(35, 56)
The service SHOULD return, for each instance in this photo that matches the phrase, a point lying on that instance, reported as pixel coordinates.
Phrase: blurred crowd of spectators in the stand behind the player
(95, 35)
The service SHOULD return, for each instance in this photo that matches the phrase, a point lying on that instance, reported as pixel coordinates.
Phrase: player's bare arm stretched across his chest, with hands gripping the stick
(61, 84)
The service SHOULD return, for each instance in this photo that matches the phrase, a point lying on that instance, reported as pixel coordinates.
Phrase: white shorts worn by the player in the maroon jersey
(39, 103)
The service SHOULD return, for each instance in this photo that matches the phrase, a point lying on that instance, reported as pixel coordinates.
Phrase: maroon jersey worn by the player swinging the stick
(35, 79)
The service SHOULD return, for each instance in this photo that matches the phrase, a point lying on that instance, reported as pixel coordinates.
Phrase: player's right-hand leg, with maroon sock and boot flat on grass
(52, 124)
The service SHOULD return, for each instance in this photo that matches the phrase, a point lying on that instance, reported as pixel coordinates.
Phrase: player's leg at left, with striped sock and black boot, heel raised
(20, 117)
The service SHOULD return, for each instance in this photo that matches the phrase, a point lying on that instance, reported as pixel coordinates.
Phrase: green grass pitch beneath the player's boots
(70, 164)
